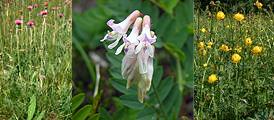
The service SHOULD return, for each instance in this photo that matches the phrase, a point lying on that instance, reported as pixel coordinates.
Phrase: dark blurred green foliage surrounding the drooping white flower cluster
(171, 95)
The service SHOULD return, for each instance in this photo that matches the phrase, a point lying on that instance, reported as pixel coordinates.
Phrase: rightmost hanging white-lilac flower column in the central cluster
(145, 54)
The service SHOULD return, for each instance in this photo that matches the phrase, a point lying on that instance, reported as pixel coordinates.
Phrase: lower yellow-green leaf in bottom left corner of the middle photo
(83, 113)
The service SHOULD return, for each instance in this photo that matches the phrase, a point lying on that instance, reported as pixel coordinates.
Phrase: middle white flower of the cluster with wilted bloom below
(129, 65)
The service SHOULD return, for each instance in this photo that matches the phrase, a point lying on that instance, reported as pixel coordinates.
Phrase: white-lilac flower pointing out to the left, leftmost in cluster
(119, 29)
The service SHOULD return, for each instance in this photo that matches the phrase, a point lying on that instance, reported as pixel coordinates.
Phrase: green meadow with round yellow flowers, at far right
(233, 65)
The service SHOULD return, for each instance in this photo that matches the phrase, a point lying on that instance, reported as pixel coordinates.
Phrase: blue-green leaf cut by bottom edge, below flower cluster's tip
(147, 114)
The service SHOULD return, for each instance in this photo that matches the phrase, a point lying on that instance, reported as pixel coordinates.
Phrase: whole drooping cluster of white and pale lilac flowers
(137, 64)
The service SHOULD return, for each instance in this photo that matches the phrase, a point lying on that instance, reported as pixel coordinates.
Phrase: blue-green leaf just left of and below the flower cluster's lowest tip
(131, 101)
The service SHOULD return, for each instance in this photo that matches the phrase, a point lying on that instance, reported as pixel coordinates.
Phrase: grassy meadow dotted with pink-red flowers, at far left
(35, 59)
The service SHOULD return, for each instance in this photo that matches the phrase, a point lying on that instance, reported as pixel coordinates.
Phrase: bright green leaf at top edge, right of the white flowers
(166, 5)
